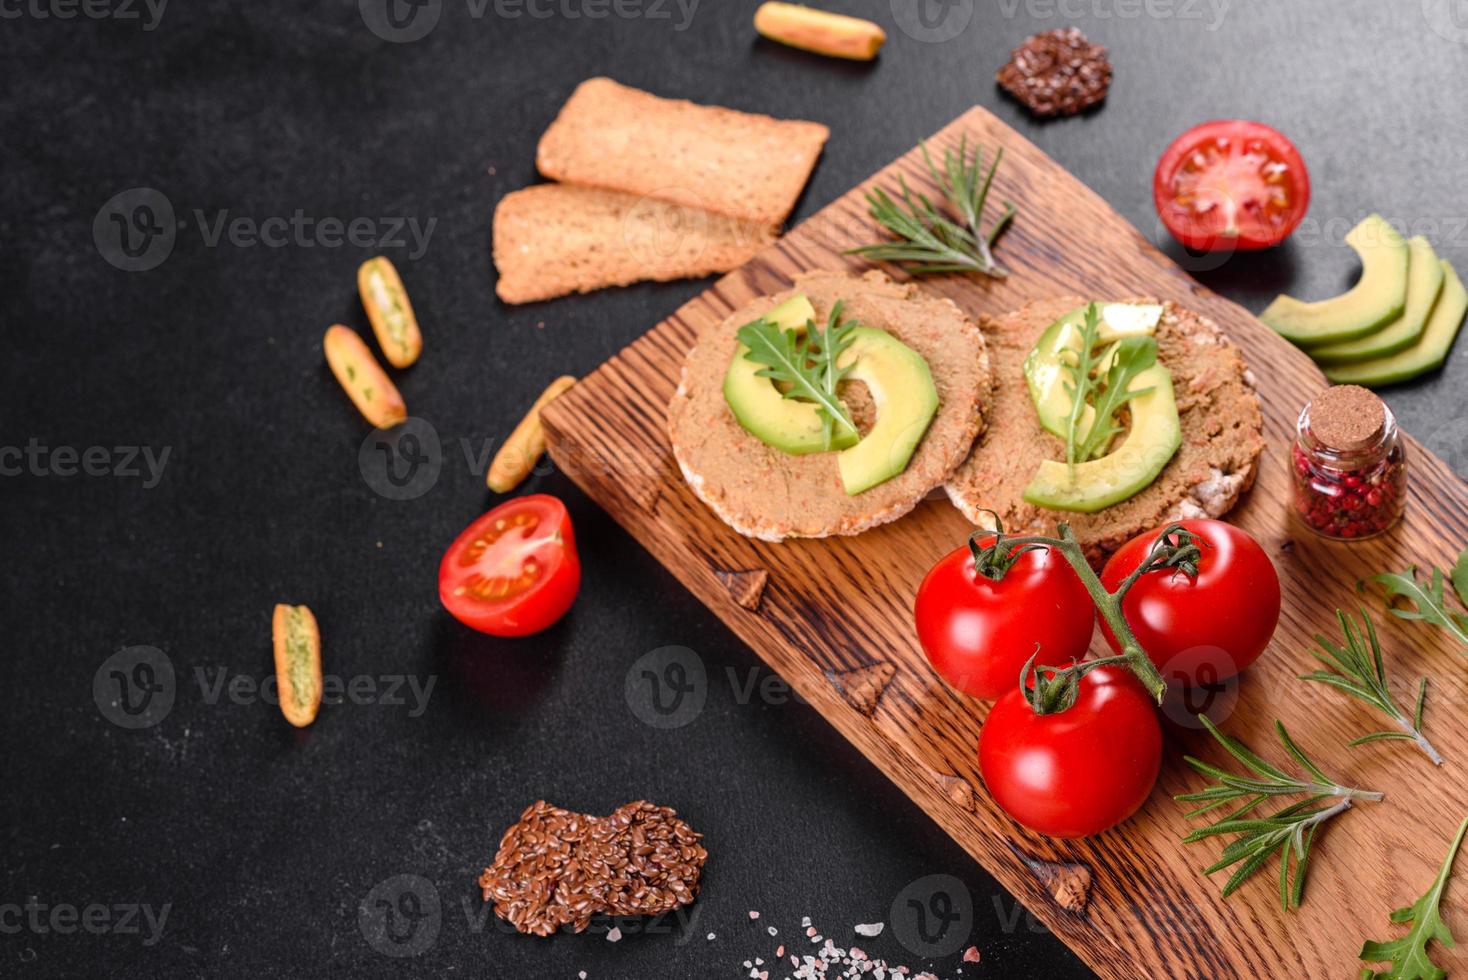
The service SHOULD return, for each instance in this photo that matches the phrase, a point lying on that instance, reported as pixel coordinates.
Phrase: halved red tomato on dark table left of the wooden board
(515, 571)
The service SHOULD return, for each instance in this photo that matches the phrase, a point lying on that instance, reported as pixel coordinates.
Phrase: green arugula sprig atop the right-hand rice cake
(1105, 378)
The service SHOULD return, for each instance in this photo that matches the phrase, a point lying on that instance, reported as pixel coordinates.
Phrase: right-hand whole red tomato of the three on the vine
(1200, 629)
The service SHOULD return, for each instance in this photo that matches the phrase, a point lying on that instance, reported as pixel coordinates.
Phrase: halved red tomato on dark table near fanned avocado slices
(1231, 186)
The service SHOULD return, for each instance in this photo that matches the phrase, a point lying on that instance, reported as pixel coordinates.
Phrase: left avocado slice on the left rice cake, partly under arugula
(760, 407)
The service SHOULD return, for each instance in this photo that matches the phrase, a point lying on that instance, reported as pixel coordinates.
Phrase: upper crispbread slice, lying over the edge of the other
(727, 162)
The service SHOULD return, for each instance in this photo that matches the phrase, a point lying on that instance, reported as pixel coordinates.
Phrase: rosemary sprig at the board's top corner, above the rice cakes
(930, 240)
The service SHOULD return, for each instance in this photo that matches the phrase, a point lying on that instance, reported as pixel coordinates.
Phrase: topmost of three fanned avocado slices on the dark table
(1378, 299)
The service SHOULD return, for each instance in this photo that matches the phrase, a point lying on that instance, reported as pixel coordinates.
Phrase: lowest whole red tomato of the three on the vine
(1080, 771)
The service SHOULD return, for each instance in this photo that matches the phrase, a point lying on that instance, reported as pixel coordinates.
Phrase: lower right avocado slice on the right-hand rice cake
(1155, 438)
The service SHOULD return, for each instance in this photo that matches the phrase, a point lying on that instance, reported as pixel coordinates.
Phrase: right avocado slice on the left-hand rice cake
(906, 401)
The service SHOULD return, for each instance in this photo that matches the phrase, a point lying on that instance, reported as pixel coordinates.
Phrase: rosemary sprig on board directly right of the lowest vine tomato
(1288, 831)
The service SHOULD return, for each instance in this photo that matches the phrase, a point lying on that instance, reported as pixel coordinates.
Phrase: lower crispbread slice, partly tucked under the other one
(553, 240)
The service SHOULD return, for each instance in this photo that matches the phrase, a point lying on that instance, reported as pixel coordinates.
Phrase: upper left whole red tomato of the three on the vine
(978, 633)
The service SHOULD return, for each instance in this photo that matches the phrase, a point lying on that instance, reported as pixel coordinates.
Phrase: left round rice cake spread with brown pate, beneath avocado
(766, 494)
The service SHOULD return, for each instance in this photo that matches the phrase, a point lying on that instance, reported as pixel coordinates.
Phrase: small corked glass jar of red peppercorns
(1350, 464)
